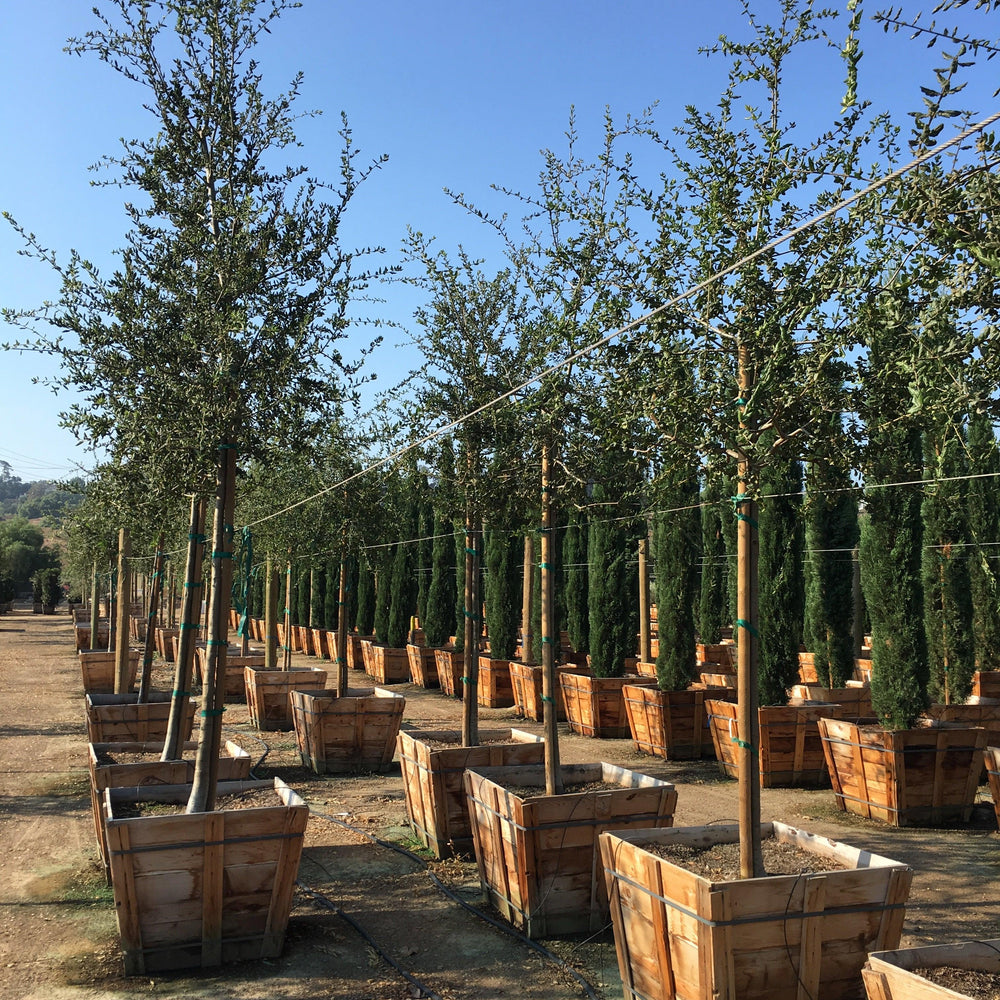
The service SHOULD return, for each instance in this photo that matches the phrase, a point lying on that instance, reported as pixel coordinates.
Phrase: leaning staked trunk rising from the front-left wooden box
(206, 773)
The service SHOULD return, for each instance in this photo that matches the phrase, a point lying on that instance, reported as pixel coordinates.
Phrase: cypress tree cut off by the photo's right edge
(984, 524)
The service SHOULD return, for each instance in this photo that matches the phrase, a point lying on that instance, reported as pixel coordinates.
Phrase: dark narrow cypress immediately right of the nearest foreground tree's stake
(781, 585)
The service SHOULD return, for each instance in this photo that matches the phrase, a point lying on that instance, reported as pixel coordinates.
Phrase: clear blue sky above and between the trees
(458, 94)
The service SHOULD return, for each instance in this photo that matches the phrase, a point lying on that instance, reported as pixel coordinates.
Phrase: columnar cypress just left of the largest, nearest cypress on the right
(831, 516)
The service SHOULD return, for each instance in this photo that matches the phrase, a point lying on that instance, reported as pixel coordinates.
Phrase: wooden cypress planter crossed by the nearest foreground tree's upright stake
(791, 751)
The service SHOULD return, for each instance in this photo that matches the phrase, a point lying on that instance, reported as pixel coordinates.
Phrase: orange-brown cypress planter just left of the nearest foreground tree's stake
(668, 724)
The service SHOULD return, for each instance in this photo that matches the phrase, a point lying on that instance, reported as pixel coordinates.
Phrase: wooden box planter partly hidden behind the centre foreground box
(436, 804)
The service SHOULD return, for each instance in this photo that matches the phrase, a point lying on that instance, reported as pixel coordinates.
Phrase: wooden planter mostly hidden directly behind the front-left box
(234, 765)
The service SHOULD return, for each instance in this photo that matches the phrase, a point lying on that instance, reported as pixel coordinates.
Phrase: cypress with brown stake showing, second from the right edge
(947, 585)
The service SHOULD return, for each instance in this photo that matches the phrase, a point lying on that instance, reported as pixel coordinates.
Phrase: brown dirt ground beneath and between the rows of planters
(361, 905)
